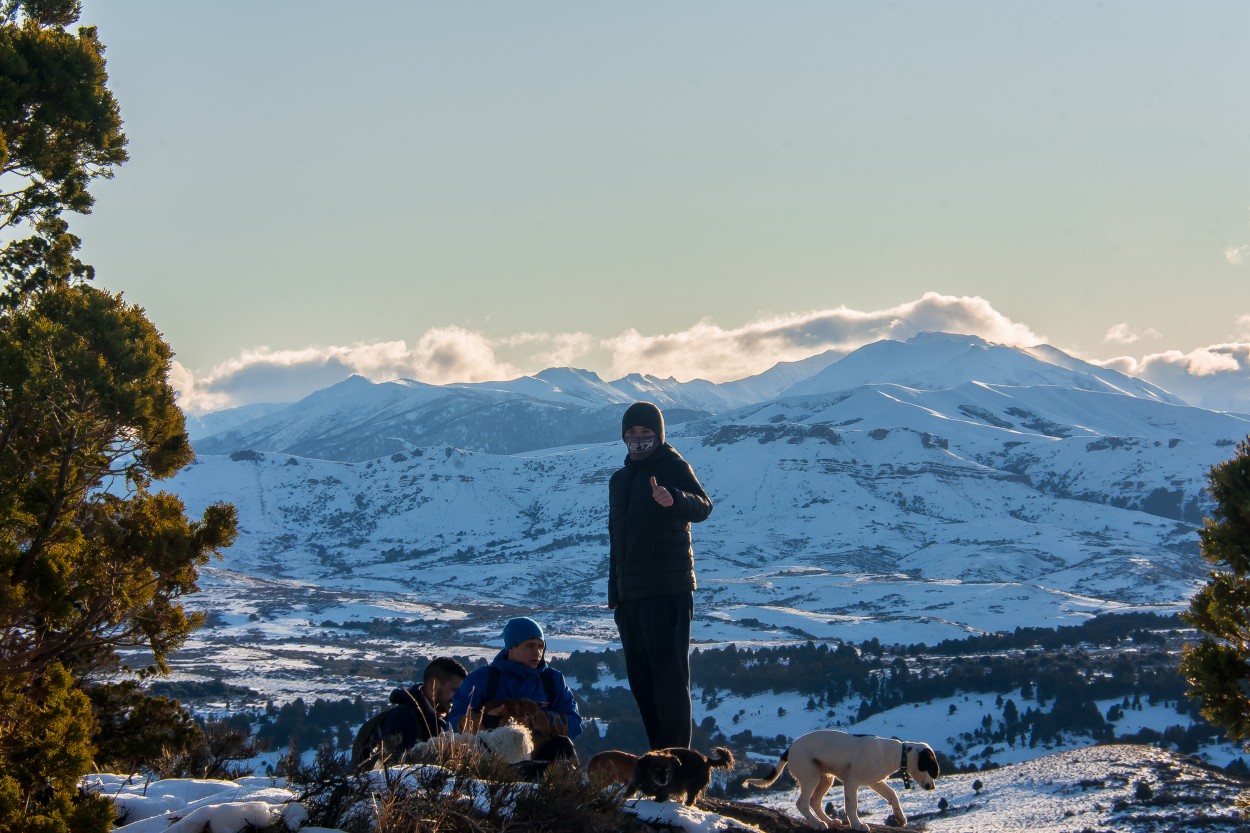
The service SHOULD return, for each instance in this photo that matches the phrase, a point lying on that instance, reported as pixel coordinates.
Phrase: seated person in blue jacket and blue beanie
(521, 672)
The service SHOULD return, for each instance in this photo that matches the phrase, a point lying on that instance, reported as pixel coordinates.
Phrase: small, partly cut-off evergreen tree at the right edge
(1218, 669)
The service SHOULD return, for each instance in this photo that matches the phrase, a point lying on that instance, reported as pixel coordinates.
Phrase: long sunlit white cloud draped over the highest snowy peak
(711, 352)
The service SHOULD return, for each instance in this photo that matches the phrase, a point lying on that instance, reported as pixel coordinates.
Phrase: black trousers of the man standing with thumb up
(656, 639)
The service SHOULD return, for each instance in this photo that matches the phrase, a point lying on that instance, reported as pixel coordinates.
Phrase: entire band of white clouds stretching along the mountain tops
(1213, 377)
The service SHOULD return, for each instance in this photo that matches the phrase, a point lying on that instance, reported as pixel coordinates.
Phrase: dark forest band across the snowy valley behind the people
(1057, 674)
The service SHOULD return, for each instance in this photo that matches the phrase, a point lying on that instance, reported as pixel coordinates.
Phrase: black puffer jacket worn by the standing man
(651, 545)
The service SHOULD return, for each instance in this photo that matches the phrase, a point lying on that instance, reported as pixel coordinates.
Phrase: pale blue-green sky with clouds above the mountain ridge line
(474, 192)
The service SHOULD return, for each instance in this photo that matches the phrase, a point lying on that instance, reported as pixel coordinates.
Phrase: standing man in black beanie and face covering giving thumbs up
(652, 502)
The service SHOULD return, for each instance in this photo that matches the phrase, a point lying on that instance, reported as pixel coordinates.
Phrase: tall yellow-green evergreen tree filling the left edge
(93, 561)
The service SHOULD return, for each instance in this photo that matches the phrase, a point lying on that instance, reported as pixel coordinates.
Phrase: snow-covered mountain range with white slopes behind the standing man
(951, 487)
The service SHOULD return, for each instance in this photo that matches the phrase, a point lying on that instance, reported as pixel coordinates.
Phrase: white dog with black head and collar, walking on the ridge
(856, 760)
